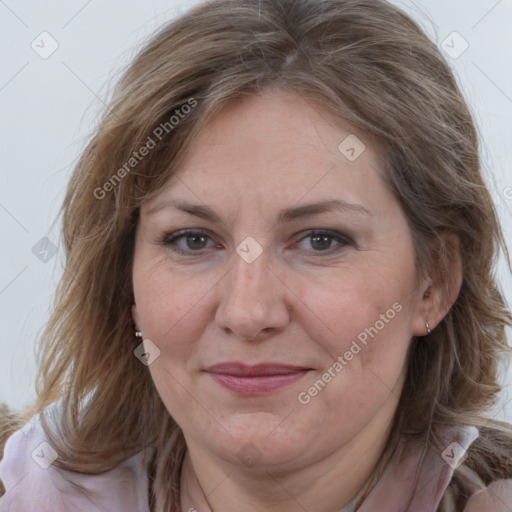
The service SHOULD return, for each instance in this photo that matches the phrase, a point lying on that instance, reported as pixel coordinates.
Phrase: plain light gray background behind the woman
(48, 107)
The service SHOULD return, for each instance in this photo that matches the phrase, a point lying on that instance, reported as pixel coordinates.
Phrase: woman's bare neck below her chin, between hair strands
(341, 479)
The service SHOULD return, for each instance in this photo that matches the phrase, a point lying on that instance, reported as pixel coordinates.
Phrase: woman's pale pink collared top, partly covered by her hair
(33, 484)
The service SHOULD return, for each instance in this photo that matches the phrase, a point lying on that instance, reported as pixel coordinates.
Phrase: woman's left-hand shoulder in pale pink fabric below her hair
(34, 482)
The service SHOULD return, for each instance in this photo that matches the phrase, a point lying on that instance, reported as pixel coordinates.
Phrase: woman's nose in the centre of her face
(254, 300)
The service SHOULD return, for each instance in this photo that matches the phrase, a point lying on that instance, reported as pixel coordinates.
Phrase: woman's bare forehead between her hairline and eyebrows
(275, 147)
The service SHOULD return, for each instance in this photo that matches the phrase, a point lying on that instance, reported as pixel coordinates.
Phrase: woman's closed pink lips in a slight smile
(255, 379)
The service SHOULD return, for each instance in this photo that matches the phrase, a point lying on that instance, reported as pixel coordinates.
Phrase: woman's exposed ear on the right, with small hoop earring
(440, 289)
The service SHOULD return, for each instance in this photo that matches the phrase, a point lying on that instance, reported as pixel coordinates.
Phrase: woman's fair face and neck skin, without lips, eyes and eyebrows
(294, 305)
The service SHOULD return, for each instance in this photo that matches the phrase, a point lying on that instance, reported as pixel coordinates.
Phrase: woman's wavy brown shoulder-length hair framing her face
(363, 61)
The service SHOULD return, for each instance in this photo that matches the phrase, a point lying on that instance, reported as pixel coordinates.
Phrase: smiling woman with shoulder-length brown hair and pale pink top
(279, 289)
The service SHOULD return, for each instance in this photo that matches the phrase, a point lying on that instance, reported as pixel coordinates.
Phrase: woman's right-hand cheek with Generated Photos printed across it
(361, 326)
